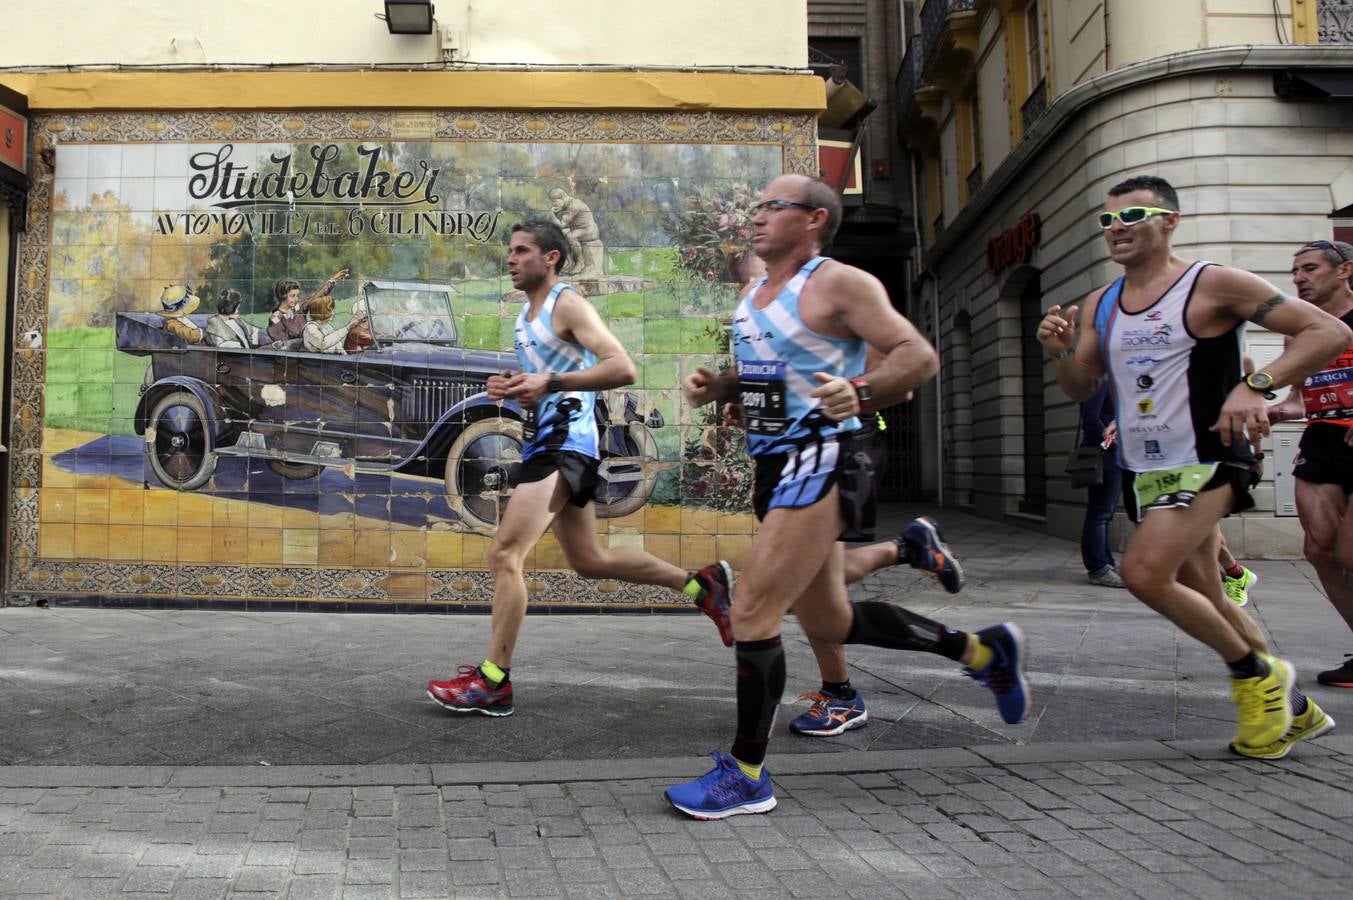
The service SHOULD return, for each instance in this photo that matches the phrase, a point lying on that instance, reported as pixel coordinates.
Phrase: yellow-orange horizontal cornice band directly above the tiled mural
(384, 90)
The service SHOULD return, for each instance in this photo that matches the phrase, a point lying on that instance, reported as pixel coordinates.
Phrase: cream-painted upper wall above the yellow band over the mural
(630, 33)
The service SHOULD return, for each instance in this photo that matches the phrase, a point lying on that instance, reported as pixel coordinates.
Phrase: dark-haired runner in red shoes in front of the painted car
(566, 354)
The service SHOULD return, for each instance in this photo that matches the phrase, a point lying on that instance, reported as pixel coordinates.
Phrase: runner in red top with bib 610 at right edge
(1324, 275)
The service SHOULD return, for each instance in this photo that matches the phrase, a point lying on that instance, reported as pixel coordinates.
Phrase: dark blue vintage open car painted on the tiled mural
(413, 404)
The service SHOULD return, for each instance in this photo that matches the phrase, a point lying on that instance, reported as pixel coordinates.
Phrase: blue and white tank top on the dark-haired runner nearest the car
(565, 420)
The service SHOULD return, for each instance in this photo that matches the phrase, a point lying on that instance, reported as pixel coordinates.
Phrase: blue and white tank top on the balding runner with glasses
(777, 355)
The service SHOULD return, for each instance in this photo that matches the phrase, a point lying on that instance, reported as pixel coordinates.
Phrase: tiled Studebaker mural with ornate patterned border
(181, 436)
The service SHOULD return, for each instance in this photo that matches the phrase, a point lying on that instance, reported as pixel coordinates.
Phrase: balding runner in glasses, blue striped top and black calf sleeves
(800, 342)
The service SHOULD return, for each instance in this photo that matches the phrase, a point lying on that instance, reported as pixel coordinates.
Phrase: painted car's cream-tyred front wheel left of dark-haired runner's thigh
(482, 468)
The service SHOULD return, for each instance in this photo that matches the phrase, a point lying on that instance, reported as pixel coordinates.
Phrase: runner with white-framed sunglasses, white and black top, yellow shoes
(1167, 335)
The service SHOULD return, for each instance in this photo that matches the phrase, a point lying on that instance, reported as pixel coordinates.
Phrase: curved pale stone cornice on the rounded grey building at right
(1060, 113)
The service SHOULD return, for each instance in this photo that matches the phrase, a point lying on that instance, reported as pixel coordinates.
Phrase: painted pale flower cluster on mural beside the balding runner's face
(714, 233)
